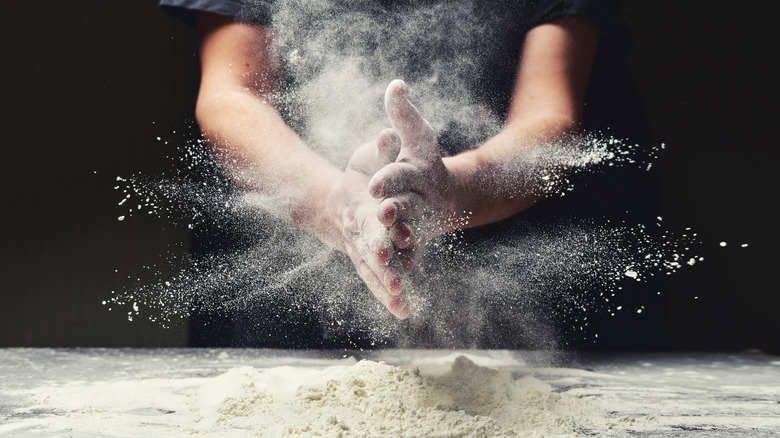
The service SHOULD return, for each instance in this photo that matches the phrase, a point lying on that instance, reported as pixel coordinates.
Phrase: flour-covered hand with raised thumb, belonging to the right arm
(415, 188)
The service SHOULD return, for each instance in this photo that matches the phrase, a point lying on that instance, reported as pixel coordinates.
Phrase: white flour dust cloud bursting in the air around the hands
(464, 292)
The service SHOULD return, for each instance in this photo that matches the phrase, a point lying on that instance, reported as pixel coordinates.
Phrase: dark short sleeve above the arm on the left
(255, 11)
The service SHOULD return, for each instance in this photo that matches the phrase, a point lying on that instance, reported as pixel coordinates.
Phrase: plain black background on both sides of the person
(87, 87)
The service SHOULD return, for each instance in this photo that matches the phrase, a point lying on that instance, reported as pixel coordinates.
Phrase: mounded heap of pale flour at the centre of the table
(376, 399)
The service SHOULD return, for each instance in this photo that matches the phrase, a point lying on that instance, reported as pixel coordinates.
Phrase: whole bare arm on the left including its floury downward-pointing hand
(240, 66)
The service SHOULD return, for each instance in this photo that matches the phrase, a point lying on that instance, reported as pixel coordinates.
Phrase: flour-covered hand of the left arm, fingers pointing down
(367, 240)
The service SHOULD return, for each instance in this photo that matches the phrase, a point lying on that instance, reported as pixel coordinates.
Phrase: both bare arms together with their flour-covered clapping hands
(399, 192)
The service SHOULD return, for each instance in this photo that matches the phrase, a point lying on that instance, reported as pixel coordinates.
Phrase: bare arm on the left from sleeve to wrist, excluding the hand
(239, 66)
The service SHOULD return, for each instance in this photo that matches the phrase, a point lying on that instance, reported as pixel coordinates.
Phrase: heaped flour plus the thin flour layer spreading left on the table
(350, 399)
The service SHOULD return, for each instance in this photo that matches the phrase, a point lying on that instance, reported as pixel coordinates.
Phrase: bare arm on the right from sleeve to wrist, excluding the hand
(506, 174)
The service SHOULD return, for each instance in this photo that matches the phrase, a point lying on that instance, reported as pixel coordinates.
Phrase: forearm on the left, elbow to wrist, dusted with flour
(262, 154)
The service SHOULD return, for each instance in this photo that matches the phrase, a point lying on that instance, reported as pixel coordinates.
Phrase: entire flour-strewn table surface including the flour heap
(185, 392)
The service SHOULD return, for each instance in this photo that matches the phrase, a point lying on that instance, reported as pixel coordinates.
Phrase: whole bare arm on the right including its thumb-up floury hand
(425, 195)
